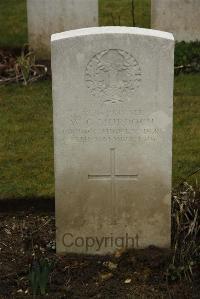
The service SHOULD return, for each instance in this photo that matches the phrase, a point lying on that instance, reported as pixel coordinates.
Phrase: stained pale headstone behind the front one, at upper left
(46, 17)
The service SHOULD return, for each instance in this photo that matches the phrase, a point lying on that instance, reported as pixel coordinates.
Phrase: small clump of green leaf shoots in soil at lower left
(39, 276)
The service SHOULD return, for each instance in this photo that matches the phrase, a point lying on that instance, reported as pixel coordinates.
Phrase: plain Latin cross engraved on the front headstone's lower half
(113, 177)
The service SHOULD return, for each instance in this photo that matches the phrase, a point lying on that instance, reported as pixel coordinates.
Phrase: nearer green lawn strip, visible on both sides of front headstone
(26, 141)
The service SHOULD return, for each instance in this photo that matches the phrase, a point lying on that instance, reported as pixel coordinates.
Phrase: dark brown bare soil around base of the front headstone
(29, 234)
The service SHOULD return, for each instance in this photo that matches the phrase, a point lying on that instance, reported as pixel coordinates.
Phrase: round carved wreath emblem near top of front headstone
(113, 75)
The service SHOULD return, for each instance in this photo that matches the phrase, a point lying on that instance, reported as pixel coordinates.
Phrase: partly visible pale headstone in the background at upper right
(181, 17)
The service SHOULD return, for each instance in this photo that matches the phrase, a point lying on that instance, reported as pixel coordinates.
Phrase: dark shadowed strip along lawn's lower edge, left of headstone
(27, 204)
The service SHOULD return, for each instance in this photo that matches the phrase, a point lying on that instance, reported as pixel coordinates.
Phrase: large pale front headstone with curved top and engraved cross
(112, 97)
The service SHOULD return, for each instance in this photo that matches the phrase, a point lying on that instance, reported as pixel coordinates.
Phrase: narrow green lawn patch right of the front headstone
(186, 143)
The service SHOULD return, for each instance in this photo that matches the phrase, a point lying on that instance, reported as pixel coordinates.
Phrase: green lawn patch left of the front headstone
(26, 147)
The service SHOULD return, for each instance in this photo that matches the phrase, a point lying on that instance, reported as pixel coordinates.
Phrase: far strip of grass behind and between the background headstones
(13, 18)
